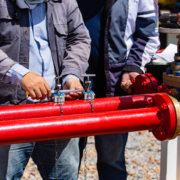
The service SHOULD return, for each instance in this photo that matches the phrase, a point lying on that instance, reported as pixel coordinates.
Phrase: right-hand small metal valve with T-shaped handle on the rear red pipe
(88, 94)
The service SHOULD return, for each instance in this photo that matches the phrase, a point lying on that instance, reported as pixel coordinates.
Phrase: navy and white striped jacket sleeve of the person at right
(146, 37)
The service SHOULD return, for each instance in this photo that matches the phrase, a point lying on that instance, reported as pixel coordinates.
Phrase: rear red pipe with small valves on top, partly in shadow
(73, 107)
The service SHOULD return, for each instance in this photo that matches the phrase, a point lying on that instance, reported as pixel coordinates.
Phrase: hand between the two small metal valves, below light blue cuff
(73, 84)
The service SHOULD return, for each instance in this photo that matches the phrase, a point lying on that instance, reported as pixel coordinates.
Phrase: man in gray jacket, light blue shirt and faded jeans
(40, 40)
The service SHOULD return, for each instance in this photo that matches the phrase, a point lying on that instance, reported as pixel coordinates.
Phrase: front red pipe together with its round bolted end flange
(161, 119)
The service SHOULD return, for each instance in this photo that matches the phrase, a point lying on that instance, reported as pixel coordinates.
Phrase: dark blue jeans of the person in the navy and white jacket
(110, 156)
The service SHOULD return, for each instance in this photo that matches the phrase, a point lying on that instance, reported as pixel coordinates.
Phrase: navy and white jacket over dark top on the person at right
(124, 37)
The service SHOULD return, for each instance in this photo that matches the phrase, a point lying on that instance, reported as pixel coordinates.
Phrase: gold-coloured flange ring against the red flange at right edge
(177, 109)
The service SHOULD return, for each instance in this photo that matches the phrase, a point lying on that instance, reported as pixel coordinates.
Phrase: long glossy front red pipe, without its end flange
(62, 127)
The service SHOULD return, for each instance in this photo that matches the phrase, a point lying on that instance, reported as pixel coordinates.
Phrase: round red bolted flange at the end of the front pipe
(167, 116)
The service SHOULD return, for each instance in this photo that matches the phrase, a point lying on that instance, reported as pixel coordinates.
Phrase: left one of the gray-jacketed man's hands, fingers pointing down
(36, 85)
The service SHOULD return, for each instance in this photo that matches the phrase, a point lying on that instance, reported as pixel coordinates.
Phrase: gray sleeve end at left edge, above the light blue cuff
(5, 64)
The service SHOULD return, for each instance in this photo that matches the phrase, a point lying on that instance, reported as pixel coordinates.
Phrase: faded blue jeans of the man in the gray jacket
(14, 158)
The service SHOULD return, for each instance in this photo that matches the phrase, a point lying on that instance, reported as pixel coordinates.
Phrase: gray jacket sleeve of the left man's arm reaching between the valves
(78, 43)
